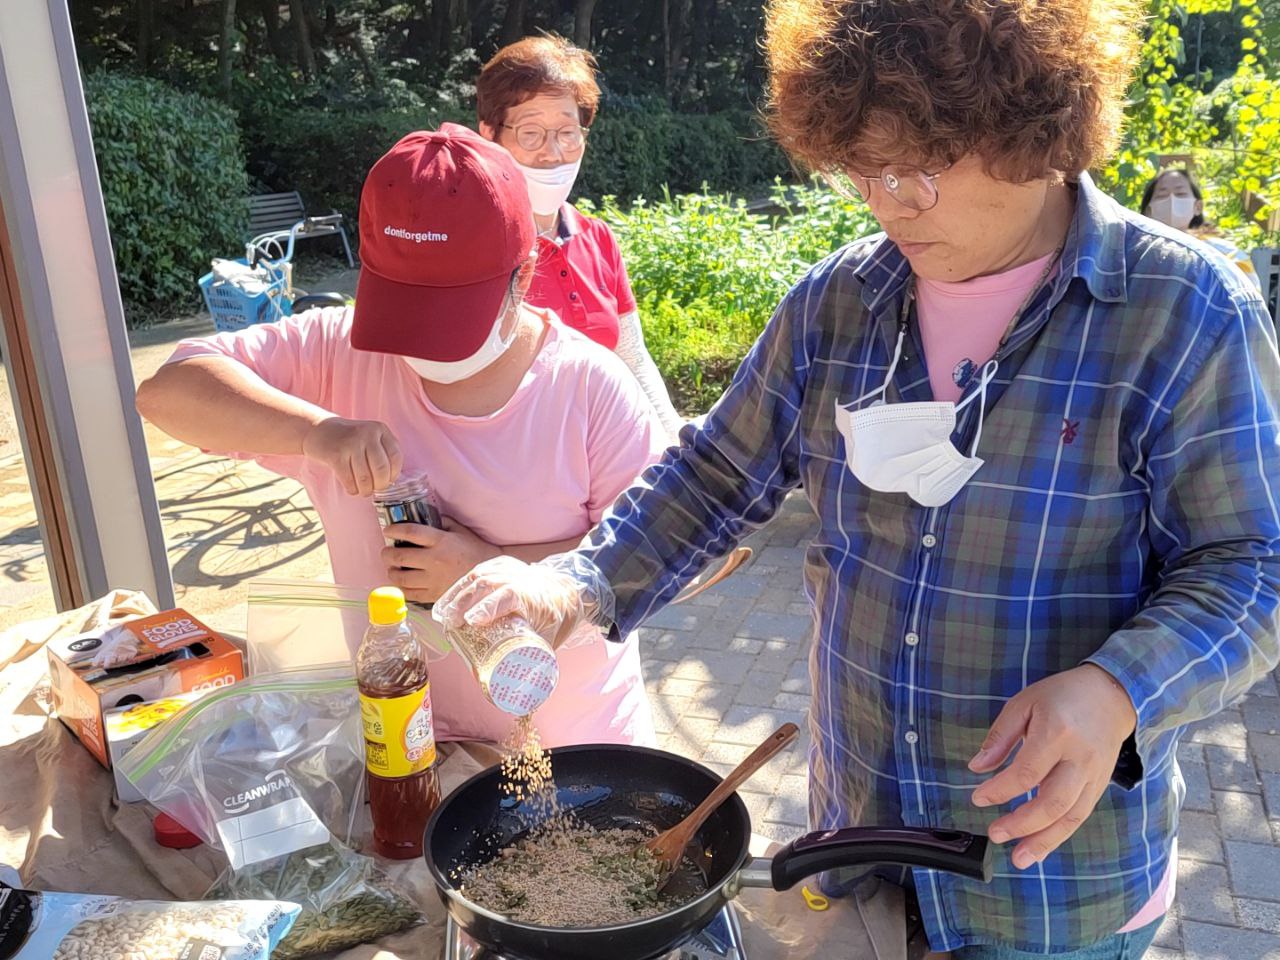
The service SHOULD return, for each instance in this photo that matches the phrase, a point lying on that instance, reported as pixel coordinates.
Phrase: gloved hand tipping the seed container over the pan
(551, 601)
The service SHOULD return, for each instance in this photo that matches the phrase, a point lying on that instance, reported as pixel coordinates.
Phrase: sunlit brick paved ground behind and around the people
(723, 670)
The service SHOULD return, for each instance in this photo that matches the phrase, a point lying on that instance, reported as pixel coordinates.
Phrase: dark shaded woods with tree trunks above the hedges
(697, 54)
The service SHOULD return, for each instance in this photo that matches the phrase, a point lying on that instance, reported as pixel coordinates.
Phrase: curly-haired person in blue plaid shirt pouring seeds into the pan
(1041, 436)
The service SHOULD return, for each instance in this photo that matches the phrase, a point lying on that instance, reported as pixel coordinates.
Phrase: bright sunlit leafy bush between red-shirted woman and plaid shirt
(708, 275)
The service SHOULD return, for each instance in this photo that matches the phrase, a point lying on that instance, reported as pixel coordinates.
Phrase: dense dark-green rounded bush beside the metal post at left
(173, 182)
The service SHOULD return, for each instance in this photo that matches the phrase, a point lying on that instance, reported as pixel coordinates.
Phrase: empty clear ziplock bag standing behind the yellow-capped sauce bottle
(305, 624)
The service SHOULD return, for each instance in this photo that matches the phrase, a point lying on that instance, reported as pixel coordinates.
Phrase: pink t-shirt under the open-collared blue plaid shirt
(962, 326)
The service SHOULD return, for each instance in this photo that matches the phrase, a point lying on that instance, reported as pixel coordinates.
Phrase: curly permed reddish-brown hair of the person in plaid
(1031, 86)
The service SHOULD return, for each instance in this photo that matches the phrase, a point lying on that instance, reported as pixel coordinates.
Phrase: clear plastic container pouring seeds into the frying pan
(514, 666)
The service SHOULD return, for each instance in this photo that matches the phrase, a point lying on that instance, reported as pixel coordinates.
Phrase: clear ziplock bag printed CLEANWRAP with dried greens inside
(272, 772)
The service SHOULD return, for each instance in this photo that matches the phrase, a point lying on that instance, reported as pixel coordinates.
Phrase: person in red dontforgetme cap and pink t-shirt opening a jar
(525, 429)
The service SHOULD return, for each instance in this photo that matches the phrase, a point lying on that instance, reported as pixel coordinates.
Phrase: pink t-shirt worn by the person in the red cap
(543, 468)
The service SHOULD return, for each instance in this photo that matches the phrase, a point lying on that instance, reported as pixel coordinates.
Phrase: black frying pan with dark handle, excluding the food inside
(634, 787)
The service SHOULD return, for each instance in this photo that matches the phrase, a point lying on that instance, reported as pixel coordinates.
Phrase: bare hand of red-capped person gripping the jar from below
(438, 560)
